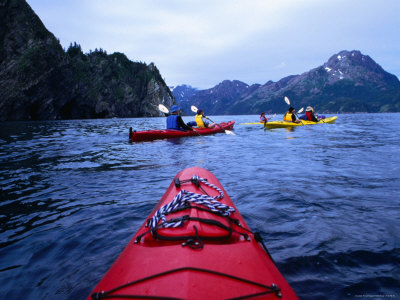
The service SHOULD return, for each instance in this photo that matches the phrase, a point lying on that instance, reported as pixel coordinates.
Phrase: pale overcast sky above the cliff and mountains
(201, 43)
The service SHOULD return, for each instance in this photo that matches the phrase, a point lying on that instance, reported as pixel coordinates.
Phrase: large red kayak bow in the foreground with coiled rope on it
(194, 245)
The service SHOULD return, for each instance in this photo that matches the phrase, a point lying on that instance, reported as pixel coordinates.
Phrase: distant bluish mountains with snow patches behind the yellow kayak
(348, 82)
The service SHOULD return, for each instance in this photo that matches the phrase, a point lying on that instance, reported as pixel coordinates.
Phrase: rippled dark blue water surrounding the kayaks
(326, 199)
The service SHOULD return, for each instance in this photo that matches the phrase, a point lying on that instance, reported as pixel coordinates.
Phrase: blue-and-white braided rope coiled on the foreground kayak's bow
(184, 198)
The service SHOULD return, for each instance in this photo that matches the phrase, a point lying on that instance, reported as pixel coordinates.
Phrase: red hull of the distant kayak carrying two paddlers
(149, 135)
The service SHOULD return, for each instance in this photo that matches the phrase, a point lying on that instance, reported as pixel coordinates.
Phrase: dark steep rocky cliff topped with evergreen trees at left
(41, 81)
